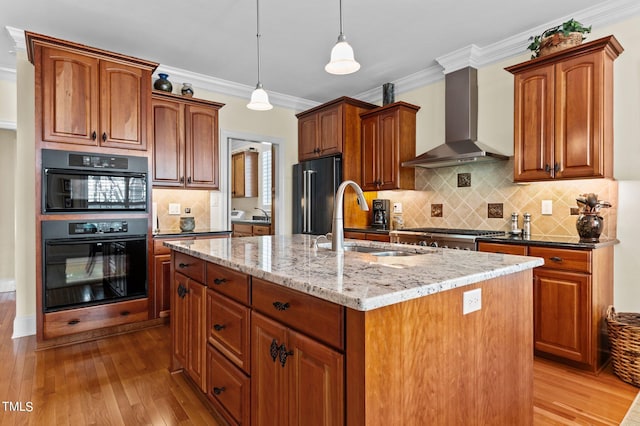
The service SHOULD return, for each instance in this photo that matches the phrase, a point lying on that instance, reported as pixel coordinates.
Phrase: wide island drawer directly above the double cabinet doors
(310, 315)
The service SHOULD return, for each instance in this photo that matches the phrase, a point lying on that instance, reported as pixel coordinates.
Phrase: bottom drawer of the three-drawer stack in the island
(228, 388)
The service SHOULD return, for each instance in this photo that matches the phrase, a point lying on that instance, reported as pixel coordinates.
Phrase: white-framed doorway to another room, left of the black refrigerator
(266, 196)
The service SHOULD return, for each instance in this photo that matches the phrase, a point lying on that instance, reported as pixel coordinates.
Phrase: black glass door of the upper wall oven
(66, 190)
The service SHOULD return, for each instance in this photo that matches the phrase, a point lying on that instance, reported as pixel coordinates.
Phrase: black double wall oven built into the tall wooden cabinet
(90, 258)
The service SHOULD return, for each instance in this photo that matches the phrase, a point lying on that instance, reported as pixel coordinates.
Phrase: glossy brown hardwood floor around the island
(124, 380)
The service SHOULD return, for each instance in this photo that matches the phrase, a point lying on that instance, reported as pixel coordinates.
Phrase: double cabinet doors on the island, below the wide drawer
(296, 380)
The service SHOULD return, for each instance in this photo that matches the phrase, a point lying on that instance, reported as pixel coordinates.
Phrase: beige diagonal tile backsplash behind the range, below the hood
(492, 183)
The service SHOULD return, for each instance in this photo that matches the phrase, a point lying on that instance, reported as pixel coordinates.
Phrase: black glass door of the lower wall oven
(89, 271)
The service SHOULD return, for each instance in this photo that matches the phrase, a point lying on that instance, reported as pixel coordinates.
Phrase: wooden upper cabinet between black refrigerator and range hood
(388, 139)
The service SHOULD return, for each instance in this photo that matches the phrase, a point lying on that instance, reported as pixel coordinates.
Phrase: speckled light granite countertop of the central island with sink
(359, 281)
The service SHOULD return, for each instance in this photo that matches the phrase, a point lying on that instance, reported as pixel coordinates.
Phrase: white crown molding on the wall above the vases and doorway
(227, 87)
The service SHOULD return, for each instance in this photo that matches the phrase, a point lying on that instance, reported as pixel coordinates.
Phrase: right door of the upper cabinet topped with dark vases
(202, 154)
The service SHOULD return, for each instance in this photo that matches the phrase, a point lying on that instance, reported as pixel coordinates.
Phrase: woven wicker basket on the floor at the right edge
(624, 339)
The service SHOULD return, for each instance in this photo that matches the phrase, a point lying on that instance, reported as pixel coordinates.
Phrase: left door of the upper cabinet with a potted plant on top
(533, 124)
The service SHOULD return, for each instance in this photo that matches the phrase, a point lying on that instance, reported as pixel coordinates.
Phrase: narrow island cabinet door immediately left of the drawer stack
(197, 328)
